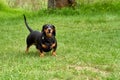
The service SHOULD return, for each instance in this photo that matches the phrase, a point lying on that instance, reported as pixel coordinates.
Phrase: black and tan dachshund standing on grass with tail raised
(44, 41)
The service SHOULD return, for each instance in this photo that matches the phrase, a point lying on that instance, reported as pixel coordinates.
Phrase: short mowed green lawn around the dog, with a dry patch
(88, 48)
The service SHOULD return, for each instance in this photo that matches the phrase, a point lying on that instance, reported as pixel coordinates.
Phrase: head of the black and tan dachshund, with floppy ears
(49, 30)
